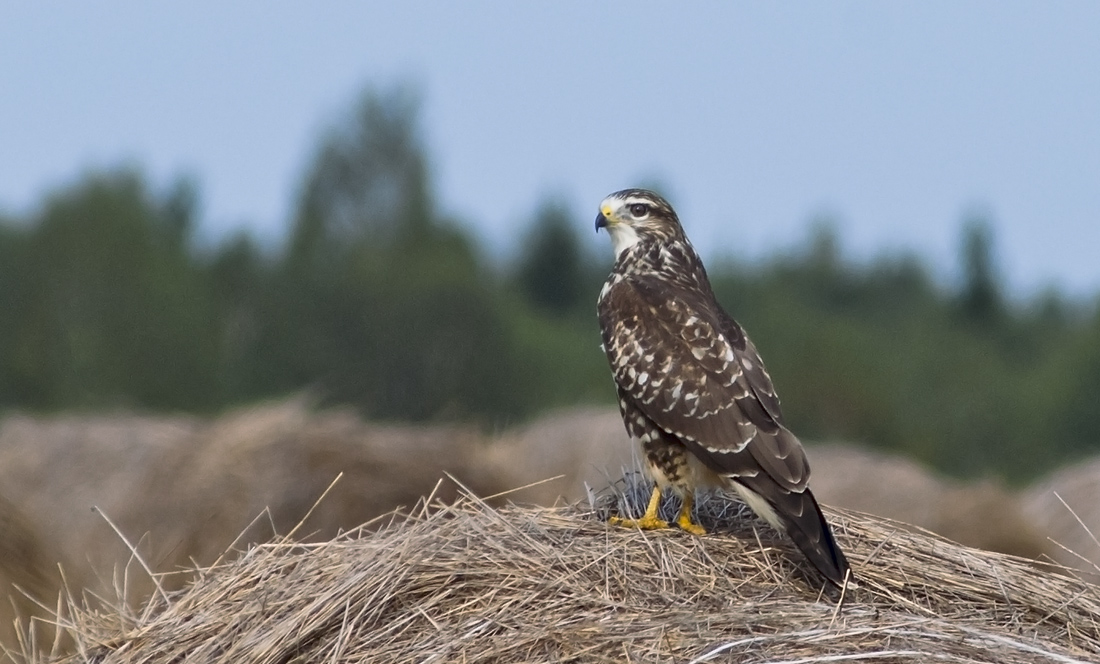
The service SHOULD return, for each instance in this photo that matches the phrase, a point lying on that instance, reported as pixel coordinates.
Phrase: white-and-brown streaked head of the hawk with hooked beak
(634, 216)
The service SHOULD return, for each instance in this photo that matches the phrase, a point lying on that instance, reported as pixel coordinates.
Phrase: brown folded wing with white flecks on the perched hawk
(692, 371)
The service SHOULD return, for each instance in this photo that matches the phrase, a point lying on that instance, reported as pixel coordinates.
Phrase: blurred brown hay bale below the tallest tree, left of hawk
(278, 460)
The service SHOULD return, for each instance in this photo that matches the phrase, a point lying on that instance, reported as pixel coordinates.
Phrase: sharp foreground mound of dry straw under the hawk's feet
(470, 583)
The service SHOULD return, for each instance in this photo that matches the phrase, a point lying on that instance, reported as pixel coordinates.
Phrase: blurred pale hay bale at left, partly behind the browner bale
(57, 470)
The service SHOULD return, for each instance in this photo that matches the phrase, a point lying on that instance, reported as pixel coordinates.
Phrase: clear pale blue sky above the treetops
(895, 119)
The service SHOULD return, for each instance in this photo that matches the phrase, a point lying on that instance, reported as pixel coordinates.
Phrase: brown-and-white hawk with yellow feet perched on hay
(692, 390)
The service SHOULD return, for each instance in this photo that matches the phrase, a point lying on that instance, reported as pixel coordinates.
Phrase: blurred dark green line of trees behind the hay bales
(381, 301)
